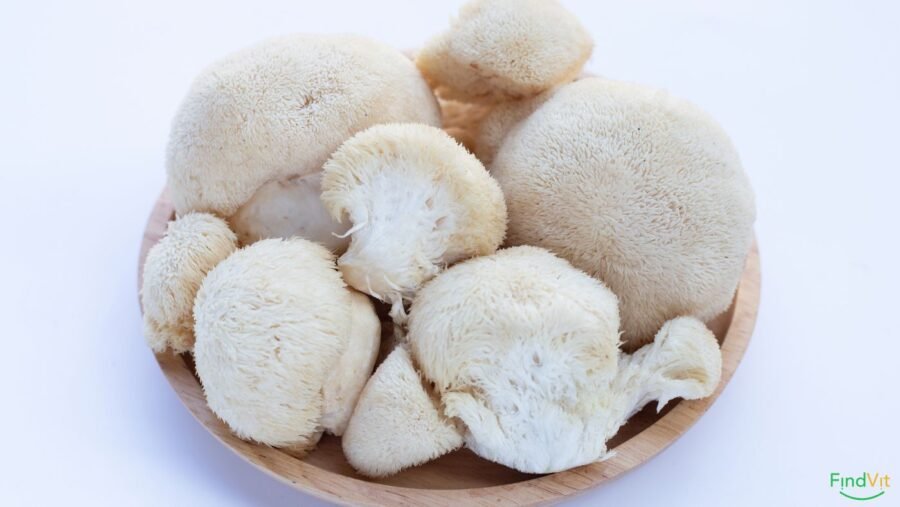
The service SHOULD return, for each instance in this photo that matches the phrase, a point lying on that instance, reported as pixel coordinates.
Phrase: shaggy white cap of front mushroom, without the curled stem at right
(522, 348)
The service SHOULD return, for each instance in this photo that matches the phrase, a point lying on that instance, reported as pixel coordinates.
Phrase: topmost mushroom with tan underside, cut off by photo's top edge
(505, 49)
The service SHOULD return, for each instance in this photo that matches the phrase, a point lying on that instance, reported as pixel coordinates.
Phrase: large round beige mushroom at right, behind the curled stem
(647, 194)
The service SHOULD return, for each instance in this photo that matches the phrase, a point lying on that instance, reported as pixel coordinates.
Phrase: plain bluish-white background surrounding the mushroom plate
(808, 90)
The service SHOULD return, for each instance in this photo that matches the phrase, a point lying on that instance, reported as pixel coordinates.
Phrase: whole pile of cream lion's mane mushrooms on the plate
(542, 248)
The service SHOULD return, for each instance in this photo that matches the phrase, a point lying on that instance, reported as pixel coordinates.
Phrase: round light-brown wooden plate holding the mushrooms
(461, 477)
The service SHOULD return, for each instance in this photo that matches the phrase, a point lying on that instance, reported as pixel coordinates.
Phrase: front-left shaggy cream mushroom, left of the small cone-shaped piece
(283, 346)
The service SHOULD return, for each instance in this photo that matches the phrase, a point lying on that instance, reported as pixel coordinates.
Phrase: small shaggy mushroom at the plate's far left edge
(173, 271)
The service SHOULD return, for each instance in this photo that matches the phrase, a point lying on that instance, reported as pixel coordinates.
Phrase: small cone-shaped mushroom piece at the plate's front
(397, 423)
